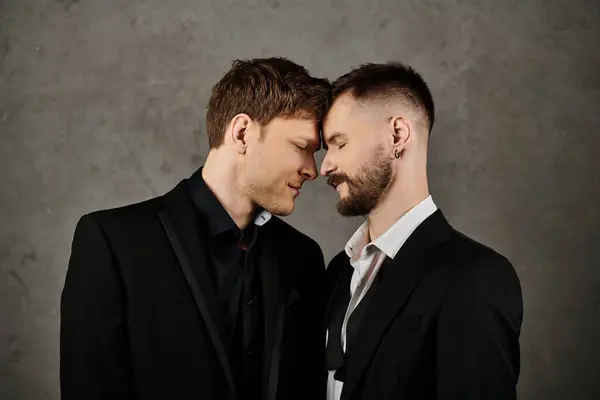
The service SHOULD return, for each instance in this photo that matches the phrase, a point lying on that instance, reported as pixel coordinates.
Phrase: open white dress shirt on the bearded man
(366, 258)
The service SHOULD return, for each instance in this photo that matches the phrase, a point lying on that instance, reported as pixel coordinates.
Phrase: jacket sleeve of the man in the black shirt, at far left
(93, 349)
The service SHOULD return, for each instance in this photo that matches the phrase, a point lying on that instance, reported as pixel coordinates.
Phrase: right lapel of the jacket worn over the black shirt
(274, 294)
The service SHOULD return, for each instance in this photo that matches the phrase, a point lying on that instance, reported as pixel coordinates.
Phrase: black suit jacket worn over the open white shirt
(443, 323)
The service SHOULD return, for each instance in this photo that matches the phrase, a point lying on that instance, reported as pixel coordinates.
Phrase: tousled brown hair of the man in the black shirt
(265, 88)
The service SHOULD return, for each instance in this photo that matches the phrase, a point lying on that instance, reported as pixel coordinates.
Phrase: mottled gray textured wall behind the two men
(101, 104)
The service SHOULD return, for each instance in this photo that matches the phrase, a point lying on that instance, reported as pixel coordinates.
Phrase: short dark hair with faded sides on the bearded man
(377, 81)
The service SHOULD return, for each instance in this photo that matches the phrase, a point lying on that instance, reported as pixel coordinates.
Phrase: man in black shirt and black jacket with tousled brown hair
(204, 293)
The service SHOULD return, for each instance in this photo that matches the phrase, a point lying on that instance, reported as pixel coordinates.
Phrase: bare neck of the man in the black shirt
(220, 175)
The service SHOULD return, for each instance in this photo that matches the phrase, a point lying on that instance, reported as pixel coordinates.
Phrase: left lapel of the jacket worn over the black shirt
(180, 222)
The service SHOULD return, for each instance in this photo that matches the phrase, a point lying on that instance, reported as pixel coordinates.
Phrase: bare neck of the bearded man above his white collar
(404, 193)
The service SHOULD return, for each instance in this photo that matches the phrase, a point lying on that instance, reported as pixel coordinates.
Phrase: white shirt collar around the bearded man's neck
(391, 240)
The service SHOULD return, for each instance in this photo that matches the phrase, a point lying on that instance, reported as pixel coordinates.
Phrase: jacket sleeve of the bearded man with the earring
(478, 333)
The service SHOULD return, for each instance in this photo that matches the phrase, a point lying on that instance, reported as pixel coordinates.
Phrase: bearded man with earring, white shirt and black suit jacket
(417, 310)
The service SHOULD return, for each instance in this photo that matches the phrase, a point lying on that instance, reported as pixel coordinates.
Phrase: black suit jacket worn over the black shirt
(137, 309)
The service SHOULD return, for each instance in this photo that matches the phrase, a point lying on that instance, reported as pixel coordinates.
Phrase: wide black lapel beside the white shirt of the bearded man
(403, 274)
